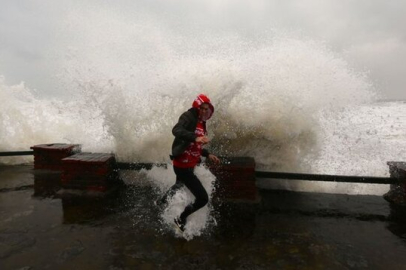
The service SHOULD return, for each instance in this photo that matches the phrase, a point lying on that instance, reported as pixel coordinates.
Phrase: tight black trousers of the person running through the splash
(186, 176)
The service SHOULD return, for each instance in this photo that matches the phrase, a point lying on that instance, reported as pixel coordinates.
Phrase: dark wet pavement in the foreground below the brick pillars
(123, 231)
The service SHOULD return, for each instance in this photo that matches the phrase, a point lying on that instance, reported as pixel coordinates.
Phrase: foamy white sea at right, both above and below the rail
(355, 140)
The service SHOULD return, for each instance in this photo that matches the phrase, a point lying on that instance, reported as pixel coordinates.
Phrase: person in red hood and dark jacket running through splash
(187, 148)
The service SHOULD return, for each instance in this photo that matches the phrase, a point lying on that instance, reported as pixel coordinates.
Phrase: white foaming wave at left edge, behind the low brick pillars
(26, 120)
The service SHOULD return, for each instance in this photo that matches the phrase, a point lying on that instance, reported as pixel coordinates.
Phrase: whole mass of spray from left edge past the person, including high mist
(124, 81)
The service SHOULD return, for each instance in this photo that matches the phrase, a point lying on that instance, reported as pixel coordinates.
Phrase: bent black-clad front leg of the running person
(190, 180)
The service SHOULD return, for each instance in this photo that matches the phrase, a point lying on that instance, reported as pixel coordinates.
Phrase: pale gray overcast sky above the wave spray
(369, 34)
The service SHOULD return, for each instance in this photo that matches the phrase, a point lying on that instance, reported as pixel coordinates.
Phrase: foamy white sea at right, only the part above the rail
(368, 135)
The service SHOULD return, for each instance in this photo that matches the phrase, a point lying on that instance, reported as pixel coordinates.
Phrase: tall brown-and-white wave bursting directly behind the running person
(269, 115)
